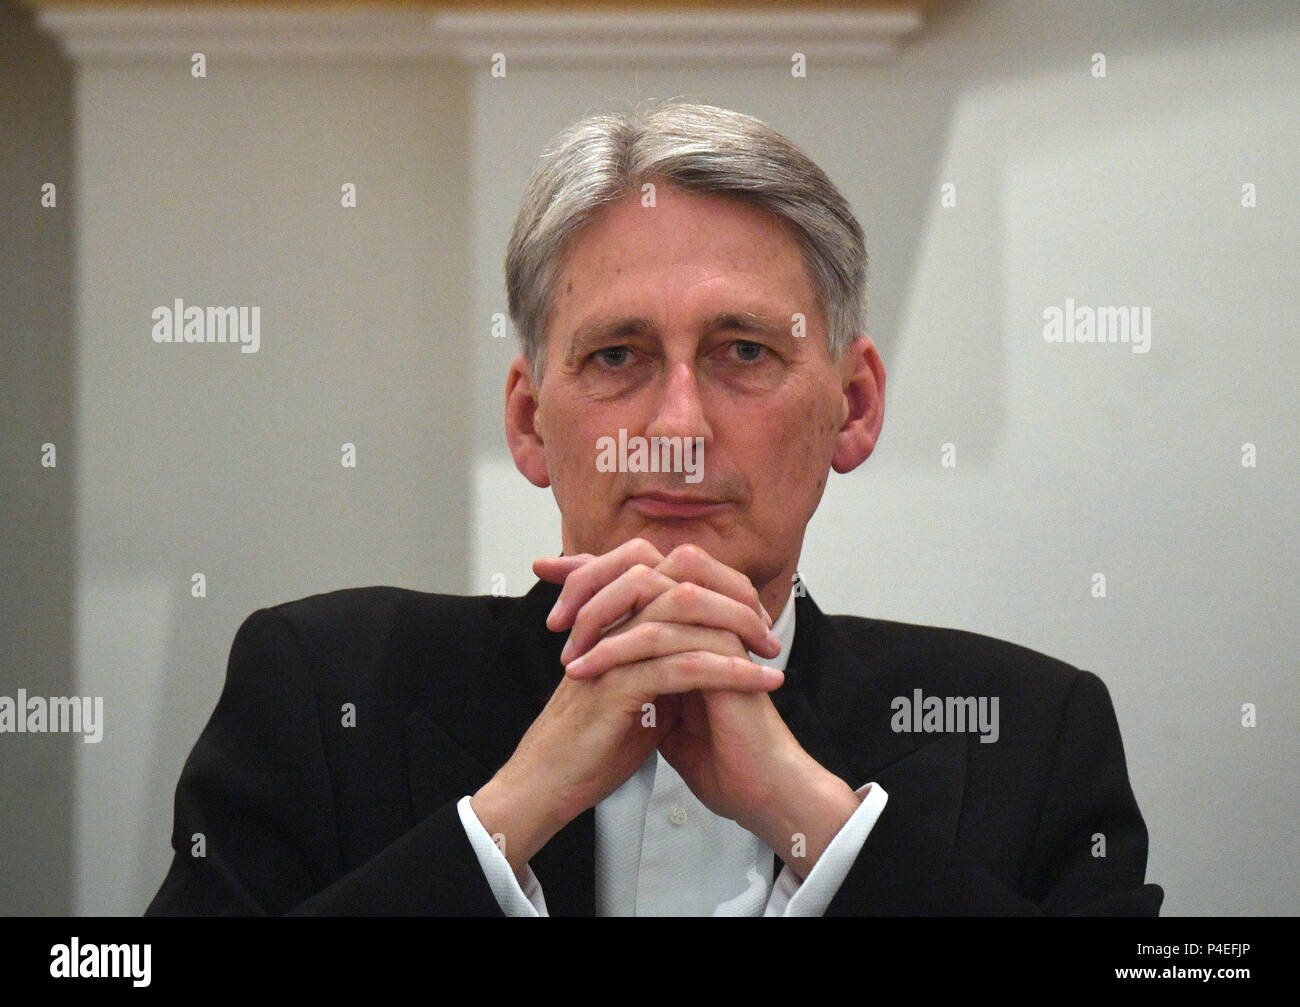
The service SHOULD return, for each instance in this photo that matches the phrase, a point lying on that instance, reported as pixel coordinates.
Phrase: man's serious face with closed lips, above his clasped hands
(679, 322)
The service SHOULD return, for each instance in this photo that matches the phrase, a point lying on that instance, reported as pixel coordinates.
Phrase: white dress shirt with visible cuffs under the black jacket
(662, 853)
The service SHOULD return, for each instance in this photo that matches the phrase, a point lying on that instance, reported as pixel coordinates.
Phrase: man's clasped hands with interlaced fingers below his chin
(666, 636)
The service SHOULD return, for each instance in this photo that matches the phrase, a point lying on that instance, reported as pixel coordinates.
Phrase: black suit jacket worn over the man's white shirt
(301, 814)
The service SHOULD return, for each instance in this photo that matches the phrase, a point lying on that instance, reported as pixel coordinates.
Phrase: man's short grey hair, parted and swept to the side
(700, 149)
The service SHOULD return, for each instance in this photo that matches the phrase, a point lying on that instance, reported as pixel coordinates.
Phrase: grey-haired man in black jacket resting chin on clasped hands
(640, 735)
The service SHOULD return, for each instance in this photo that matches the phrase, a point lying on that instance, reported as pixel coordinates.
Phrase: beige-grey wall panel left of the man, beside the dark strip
(198, 458)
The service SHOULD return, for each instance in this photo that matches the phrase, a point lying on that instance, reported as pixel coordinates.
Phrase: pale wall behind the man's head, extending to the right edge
(1073, 459)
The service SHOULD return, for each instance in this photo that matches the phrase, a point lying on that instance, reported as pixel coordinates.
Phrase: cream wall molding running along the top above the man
(122, 34)
